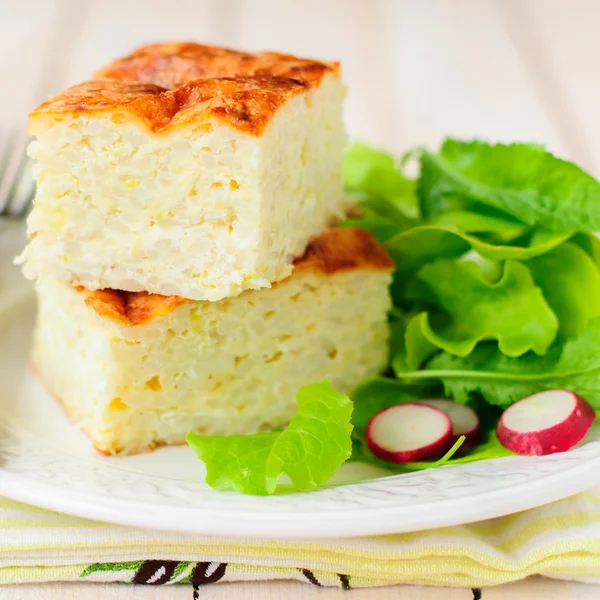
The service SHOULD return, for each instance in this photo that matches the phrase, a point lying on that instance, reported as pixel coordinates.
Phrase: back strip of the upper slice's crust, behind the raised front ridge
(171, 65)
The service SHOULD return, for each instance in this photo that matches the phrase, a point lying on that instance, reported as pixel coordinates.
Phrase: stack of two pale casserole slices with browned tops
(189, 274)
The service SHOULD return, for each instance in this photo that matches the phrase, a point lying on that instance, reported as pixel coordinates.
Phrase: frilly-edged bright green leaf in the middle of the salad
(511, 310)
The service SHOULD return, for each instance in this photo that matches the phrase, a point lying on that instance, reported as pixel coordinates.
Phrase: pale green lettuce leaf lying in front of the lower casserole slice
(310, 450)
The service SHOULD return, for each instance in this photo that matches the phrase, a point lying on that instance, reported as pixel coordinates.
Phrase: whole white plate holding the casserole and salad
(45, 461)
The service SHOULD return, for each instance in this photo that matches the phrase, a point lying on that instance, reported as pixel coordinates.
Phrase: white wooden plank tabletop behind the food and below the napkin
(417, 70)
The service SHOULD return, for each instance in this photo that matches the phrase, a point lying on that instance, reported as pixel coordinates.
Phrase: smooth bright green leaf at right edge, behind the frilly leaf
(570, 281)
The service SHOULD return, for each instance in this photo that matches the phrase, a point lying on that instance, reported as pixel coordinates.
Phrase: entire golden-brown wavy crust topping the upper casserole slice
(169, 85)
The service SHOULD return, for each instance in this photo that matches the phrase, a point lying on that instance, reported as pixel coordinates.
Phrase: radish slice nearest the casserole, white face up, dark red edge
(408, 433)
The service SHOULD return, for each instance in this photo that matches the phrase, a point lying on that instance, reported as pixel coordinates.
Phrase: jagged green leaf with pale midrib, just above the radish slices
(573, 365)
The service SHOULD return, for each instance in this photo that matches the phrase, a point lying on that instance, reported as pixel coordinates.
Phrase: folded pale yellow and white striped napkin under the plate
(560, 540)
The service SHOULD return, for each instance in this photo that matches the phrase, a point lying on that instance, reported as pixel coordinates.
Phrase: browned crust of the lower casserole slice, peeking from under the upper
(336, 250)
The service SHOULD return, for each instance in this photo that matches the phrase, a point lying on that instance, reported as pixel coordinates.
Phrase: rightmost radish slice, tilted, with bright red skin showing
(545, 423)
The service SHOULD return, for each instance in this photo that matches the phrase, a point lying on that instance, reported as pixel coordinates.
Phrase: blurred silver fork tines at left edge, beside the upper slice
(17, 187)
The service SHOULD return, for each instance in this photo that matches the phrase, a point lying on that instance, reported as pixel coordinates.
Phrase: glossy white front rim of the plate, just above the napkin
(382, 520)
